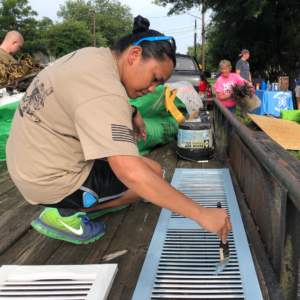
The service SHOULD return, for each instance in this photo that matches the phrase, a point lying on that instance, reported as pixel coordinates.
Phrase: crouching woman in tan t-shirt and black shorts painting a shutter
(72, 144)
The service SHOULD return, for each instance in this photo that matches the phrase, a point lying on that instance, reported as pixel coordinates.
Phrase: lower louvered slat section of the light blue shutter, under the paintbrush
(186, 267)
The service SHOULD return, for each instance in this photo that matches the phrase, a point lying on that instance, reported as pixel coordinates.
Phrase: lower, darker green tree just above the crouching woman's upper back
(66, 37)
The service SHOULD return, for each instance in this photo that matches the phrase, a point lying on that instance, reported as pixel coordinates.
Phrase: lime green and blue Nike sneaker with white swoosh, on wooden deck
(77, 229)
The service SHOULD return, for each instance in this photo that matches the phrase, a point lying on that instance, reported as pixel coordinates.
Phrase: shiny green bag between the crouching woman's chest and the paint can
(160, 125)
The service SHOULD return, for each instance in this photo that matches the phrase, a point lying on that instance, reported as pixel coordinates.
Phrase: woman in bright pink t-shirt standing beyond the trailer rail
(225, 82)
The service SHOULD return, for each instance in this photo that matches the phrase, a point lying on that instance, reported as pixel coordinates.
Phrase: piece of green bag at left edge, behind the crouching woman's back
(6, 115)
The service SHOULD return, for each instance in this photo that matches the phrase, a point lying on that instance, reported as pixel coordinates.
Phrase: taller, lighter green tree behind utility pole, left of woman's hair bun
(112, 19)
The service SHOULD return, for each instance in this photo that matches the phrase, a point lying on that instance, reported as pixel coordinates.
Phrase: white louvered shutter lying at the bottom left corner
(85, 282)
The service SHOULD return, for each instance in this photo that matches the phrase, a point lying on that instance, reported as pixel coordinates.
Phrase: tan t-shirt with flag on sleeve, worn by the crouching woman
(75, 111)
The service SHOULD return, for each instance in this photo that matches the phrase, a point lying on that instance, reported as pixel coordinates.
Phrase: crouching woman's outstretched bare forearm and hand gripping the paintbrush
(141, 179)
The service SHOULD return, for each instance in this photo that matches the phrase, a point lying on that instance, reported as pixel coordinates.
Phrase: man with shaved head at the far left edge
(11, 44)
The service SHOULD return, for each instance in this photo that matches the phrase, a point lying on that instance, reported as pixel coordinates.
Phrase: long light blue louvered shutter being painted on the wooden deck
(182, 256)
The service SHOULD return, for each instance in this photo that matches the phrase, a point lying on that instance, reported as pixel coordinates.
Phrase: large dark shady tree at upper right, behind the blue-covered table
(269, 29)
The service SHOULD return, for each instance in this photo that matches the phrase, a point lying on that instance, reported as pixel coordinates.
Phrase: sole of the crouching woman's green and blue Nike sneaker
(58, 235)
